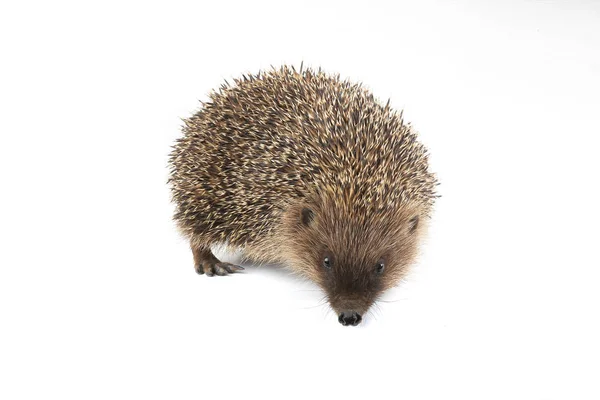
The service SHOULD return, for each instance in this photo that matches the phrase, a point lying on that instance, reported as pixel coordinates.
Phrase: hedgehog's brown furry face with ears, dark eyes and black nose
(354, 261)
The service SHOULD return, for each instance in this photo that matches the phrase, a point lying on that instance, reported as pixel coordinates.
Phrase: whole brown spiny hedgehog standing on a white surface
(304, 169)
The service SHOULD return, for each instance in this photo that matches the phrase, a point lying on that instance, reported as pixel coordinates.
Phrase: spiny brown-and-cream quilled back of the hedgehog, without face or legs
(275, 137)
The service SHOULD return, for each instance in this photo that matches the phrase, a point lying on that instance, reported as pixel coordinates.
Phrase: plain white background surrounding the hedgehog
(98, 296)
